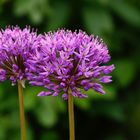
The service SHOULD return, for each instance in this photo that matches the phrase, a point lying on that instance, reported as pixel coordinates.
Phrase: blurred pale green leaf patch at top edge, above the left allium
(36, 10)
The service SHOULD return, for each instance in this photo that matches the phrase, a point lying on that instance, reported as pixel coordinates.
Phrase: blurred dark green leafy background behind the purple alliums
(113, 116)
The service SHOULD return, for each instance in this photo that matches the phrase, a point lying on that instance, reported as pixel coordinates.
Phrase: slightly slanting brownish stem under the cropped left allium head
(21, 107)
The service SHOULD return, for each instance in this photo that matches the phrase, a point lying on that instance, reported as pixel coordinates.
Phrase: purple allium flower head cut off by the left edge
(15, 45)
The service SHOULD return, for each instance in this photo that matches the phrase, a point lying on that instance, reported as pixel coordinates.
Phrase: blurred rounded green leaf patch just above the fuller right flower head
(98, 21)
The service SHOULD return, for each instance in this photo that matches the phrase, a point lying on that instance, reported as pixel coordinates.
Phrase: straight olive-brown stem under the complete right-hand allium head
(71, 116)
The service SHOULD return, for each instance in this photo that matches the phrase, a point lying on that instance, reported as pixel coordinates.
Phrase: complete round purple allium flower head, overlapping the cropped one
(69, 60)
